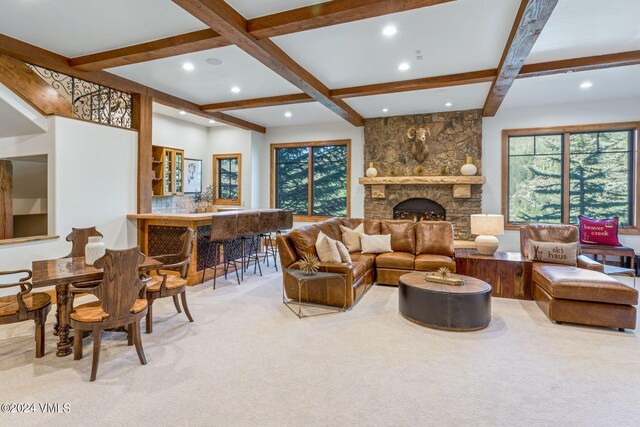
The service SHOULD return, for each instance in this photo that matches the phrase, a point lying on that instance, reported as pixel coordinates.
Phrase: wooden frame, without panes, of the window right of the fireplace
(565, 132)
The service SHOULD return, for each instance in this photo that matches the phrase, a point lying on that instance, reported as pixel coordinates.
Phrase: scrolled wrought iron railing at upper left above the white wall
(90, 101)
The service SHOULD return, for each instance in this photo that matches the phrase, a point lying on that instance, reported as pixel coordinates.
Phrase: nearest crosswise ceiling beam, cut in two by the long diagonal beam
(291, 21)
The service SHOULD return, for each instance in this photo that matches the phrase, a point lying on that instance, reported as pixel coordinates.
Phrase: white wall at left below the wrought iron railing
(92, 181)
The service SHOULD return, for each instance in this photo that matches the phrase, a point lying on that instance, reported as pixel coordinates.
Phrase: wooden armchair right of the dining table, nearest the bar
(164, 285)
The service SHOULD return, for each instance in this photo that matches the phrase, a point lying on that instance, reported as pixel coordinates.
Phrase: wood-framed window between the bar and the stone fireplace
(311, 179)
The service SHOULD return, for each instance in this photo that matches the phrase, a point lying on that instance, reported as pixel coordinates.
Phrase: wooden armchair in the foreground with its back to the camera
(119, 304)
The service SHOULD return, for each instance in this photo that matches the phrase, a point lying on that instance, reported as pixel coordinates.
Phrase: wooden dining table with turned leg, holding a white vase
(62, 273)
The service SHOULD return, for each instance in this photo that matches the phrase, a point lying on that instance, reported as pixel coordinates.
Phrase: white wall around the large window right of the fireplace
(622, 110)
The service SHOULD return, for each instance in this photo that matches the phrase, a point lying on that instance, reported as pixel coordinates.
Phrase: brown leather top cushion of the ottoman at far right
(574, 283)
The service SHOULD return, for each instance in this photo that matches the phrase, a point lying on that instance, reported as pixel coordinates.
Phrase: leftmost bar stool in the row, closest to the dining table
(224, 232)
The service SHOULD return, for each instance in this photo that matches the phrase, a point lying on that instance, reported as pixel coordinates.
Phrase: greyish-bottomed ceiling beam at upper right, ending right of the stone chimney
(530, 20)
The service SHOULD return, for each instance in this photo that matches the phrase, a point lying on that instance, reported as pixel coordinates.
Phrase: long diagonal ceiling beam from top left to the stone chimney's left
(230, 24)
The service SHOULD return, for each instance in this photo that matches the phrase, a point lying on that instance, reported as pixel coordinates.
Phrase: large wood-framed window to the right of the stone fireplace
(554, 175)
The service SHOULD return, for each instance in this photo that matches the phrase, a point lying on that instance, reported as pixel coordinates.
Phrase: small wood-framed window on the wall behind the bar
(227, 169)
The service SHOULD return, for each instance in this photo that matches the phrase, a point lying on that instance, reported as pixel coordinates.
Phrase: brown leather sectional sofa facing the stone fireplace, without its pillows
(422, 246)
